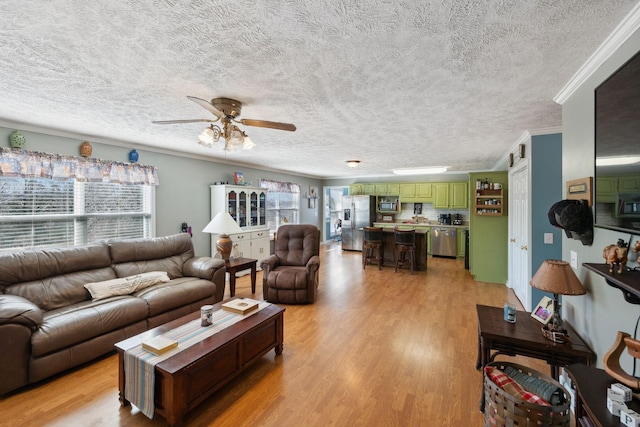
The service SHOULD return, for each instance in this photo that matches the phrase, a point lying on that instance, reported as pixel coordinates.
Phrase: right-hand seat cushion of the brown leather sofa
(175, 293)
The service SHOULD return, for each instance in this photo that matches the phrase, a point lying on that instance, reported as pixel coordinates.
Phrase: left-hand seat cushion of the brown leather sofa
(76, 323)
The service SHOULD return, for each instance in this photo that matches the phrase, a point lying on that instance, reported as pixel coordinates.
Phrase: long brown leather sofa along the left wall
(49, 322)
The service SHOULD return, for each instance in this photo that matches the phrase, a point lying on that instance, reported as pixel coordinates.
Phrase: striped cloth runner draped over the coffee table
(139, 364)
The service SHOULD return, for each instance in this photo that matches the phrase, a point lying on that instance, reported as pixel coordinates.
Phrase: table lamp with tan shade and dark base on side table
(558, 278)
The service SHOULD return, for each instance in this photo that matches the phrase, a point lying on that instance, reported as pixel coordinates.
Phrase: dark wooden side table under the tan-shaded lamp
(524, 337)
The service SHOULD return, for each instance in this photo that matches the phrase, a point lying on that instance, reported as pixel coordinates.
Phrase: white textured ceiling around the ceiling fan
(394, 83)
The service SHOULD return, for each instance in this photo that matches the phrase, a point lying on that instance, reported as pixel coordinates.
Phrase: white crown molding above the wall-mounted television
(620, 34)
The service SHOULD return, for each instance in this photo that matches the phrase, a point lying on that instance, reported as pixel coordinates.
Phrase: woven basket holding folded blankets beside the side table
(503, 409)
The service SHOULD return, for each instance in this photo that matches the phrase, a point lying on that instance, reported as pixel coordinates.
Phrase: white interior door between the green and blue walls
(519, 235)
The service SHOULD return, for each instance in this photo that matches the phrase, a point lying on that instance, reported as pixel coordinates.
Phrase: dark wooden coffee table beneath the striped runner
(187, 378)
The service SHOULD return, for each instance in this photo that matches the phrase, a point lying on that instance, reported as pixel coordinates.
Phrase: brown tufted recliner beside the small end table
(290, 275)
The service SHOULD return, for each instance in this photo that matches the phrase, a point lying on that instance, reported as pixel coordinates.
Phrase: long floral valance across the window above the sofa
(33, 164)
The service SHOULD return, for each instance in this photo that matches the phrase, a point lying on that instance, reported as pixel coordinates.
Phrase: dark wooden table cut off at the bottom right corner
(591, 396)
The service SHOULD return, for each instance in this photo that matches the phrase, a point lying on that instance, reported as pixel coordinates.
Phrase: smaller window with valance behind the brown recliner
(283, 203)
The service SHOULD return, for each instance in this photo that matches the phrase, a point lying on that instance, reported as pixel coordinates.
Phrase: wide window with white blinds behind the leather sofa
(39, 212)
